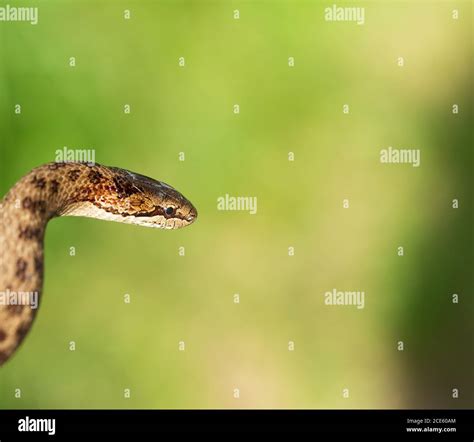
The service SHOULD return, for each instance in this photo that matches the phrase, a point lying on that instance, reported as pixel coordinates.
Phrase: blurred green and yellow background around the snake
(282, 109)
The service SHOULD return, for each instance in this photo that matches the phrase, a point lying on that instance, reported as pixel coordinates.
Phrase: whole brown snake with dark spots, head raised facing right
(68, 189)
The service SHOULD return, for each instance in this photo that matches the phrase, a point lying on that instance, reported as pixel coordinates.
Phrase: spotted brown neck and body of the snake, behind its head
(24, 213)
